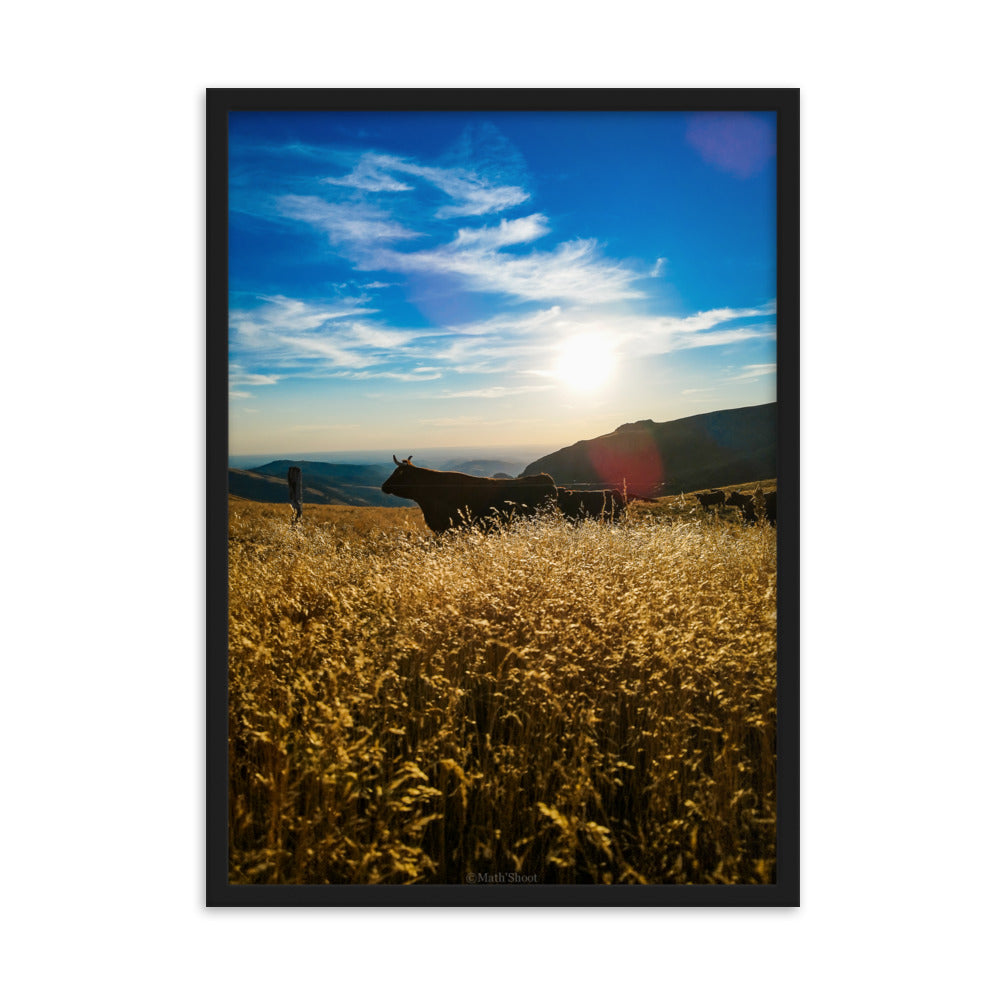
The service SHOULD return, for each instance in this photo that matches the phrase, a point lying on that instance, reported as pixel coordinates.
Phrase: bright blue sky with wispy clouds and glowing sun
(418, 280)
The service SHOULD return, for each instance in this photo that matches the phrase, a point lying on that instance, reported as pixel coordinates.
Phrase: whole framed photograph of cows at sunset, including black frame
(501, 385)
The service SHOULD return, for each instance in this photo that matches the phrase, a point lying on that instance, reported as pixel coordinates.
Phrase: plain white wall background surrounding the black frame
(103, 223)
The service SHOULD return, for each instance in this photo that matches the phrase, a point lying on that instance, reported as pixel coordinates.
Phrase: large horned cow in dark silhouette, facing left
(451, 499)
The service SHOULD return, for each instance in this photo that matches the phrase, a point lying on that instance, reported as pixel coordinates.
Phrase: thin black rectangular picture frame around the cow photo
(220, 102)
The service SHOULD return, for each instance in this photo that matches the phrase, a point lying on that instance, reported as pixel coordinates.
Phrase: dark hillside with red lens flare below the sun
(677, 456)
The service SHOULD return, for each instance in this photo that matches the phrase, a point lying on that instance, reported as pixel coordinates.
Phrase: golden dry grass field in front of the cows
(551, 703)
